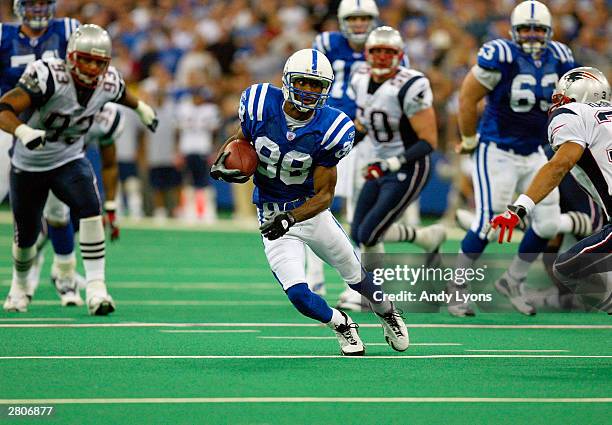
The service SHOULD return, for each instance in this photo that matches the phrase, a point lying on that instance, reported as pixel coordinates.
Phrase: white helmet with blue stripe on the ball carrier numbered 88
(308, 64)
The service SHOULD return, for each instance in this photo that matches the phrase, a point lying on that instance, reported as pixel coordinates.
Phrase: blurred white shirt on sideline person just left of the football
(196, 124)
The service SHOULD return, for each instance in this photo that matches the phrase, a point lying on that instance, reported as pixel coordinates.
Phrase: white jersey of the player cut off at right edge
(589, 125)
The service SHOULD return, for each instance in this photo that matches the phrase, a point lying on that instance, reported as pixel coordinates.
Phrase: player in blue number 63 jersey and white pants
(517, 77)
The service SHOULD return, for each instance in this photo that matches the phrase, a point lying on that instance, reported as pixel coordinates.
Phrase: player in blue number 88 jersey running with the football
(299, 140)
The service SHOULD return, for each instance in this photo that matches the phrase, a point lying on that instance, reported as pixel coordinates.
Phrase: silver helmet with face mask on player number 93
(88, 54)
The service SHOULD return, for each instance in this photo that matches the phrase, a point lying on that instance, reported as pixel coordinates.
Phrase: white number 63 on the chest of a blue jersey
(524, 88)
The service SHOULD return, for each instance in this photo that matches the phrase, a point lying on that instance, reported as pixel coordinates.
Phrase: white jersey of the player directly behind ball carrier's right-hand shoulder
(384, 109)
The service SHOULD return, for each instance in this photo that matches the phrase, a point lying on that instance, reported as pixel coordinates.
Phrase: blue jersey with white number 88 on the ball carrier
(287, 159)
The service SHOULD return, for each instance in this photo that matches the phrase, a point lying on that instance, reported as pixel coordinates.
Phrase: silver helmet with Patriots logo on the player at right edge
(582, 85)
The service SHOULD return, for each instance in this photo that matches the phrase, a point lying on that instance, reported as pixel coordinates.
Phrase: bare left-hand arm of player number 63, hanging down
(470, 94)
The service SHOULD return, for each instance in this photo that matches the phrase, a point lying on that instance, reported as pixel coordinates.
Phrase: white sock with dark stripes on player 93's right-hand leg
(91, 238)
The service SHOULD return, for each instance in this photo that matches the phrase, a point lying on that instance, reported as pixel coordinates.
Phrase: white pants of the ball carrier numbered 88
(327, 239)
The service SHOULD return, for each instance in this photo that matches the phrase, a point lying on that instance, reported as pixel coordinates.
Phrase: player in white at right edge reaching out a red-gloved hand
(580, 132)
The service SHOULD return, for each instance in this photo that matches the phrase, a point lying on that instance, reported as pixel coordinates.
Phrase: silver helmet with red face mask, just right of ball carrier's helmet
(384, 50)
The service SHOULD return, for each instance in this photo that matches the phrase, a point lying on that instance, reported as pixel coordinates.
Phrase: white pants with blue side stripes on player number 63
(498, 176)
